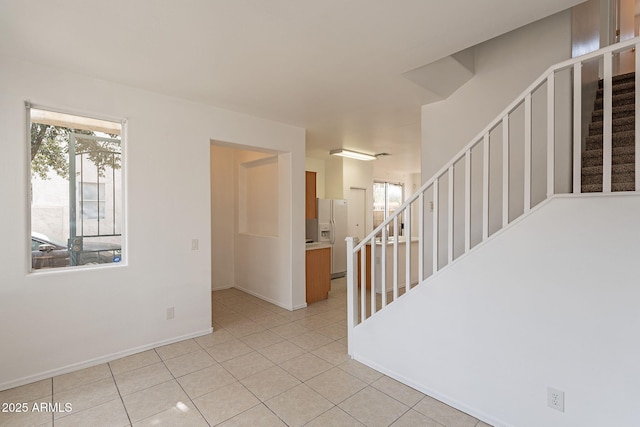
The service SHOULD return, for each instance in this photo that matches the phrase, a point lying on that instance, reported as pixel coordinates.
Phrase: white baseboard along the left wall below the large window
(97, 361)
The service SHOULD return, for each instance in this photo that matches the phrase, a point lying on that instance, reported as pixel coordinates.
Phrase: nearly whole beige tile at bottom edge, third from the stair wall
(298, 405)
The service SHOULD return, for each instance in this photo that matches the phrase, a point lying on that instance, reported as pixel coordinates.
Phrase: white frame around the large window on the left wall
(28, 190)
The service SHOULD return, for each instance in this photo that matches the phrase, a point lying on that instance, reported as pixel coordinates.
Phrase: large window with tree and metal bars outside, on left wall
(76, 200)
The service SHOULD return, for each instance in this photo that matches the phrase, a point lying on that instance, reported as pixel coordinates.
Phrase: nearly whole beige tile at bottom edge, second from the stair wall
(373, 408)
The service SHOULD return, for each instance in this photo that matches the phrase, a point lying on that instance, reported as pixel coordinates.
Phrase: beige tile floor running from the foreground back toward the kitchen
(262, 366)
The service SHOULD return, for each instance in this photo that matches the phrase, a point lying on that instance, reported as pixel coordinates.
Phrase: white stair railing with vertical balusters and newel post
(468, 211)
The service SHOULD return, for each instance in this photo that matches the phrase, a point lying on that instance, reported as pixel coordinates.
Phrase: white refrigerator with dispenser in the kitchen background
(331, 227)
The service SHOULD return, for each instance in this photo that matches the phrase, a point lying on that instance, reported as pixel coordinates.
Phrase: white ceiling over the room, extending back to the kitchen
(334, 67)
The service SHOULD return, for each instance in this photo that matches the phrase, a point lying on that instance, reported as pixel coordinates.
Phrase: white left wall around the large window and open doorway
(64, 320)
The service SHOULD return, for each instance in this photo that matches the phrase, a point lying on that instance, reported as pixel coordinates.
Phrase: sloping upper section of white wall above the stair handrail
(504, 67)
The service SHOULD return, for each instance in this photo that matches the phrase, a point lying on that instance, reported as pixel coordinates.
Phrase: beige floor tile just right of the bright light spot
(226, 402)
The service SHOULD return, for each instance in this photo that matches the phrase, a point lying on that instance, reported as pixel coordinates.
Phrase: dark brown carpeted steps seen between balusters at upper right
(622, 136)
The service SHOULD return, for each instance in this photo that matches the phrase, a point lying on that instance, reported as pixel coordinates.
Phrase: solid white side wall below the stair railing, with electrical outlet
(550, 302)
